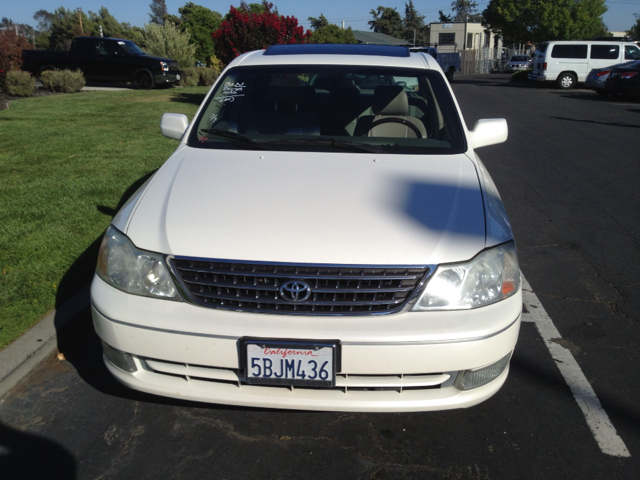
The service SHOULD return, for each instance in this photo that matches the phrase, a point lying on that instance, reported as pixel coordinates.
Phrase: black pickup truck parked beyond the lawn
(105, 59)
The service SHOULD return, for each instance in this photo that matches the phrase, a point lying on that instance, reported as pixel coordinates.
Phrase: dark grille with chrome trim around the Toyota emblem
(335, 290)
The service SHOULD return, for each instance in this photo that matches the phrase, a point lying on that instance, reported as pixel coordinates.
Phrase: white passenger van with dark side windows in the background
(569, 62)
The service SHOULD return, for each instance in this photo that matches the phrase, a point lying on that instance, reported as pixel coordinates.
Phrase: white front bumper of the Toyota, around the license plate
(190, 352)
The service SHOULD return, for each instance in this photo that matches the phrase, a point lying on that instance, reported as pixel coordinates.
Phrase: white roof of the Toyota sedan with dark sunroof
(336, 54)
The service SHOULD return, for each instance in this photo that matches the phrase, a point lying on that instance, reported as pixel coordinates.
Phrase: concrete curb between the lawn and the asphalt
(21, 356)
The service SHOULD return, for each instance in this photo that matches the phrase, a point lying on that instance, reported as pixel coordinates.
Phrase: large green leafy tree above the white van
(540, 20)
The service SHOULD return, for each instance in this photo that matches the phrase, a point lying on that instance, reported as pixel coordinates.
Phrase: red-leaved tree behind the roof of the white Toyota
(243, 31)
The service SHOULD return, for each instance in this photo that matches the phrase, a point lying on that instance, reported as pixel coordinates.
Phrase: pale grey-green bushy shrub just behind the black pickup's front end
(169, 42)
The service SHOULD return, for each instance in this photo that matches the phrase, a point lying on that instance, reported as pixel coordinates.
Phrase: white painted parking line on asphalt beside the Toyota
(597, 419)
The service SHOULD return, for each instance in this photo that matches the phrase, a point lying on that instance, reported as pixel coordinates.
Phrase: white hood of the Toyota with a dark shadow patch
(307, 207)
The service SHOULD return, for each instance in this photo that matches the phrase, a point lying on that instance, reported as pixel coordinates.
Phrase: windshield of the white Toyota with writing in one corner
(330, 108)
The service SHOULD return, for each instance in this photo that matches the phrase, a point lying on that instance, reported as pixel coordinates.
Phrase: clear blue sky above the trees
(355, 13)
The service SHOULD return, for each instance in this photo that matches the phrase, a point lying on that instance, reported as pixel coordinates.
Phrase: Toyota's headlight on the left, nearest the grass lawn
(123, 266)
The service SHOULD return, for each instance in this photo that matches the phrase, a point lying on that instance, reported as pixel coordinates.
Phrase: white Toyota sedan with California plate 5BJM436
(314, 244)
